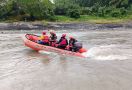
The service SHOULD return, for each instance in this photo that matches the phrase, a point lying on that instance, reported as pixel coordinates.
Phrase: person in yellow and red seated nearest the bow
(44, 39)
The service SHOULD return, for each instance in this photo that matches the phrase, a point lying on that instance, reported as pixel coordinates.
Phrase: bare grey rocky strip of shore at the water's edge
(43, 25)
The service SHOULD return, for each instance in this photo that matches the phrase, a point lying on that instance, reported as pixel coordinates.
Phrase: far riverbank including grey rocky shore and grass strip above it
(84, 22)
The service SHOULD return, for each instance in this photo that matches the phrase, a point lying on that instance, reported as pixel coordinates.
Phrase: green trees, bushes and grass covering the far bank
(96, 11)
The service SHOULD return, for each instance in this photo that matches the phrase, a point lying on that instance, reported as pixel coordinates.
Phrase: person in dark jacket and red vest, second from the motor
(63, 42)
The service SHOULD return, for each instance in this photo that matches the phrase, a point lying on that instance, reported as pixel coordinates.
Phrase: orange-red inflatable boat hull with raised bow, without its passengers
(30, 41)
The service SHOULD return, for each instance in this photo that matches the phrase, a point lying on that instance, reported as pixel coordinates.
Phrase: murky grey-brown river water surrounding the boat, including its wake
(108, 65)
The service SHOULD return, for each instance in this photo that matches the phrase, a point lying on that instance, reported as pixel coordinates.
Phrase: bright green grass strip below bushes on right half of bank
(94, 19)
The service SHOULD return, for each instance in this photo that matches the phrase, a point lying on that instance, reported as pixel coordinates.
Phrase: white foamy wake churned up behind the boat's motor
(108, 52)
